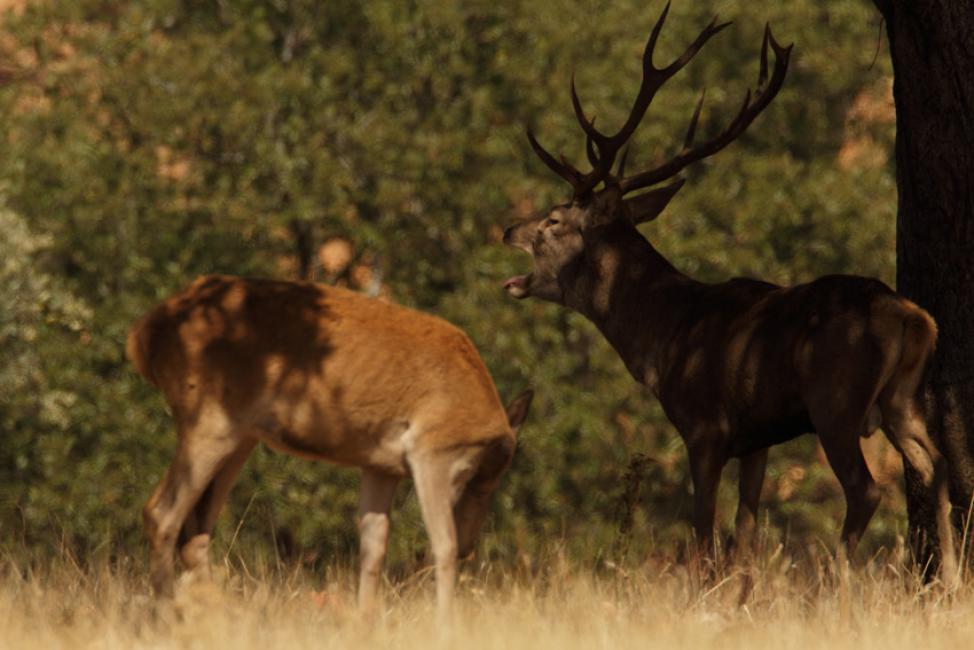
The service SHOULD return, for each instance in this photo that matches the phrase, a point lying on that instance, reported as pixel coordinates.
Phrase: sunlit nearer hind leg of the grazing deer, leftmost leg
(198, 459)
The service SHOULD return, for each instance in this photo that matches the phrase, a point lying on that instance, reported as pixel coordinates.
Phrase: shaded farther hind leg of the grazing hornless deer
(194, 537)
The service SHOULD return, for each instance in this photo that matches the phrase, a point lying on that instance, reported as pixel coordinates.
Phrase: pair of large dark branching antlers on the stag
(601, 149)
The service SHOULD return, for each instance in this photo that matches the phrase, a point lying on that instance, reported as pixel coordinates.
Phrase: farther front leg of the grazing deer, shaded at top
(374, 503)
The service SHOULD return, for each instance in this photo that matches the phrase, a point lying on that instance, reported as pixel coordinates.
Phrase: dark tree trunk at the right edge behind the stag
(932, 47)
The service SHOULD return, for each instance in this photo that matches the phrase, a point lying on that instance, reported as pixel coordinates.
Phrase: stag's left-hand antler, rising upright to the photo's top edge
(653, 79)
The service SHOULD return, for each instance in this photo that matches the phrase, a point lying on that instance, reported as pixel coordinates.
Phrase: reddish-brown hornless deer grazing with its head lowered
(321, 373)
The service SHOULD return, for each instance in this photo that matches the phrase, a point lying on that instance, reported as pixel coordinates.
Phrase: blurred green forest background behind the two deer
(380, 145)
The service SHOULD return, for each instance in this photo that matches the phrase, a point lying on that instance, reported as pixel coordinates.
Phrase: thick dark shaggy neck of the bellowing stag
(632, 294)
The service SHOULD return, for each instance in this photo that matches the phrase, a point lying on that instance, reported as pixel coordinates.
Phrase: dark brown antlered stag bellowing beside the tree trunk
(744, 364)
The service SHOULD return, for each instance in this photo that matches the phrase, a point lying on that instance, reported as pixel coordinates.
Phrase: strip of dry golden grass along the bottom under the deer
(790, 604)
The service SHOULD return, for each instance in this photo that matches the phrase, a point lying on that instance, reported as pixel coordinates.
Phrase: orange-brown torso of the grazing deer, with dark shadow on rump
(318, 371)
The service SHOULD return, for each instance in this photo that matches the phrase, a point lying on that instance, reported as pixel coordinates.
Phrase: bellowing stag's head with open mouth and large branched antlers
(602, 199)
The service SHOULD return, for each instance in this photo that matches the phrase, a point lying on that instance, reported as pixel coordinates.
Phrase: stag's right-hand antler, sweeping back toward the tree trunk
(748, 112)
